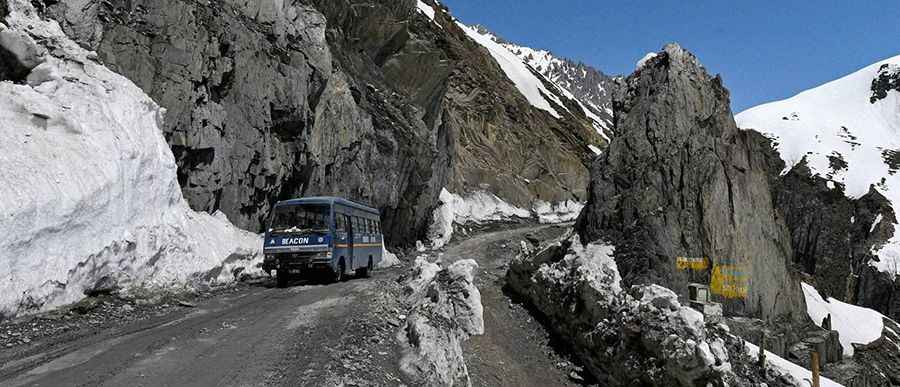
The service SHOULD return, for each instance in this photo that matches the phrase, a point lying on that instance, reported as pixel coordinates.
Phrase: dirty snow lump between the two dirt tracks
(446, 311)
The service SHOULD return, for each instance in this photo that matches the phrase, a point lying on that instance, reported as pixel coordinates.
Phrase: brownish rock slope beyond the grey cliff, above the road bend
(504, 145)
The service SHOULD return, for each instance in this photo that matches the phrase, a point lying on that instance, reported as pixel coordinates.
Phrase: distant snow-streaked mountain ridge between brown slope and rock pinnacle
(589, 87)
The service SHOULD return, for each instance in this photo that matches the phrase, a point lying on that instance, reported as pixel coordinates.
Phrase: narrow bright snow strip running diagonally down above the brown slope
(518, 72)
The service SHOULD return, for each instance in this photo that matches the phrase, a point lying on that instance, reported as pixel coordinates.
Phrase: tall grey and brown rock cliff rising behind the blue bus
(368, 99)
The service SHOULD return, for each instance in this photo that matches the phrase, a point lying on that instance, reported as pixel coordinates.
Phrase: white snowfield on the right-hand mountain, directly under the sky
(852, 120)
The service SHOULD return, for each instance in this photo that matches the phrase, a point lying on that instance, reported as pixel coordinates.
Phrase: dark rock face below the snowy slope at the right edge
(832, 235)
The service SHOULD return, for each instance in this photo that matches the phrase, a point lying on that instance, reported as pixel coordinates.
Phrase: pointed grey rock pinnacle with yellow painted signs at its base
(680, 180)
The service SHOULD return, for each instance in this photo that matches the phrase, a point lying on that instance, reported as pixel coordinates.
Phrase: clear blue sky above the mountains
(765, 50)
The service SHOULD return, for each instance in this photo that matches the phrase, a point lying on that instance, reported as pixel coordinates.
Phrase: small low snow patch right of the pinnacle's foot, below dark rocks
(854, 323)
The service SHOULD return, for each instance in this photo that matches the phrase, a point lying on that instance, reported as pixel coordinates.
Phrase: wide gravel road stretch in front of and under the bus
(305, 335)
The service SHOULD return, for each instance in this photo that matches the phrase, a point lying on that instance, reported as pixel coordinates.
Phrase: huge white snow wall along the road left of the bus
(88, 188)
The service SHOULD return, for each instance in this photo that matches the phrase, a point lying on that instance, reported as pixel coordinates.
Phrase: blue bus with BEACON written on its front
(322, 234)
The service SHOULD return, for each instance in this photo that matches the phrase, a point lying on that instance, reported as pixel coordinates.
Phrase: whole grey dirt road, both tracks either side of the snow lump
(308, 335)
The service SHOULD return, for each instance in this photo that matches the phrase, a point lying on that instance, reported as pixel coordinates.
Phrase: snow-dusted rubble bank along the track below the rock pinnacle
(629, 336)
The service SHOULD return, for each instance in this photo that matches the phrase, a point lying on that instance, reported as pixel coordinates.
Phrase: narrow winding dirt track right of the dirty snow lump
(515, 349)
